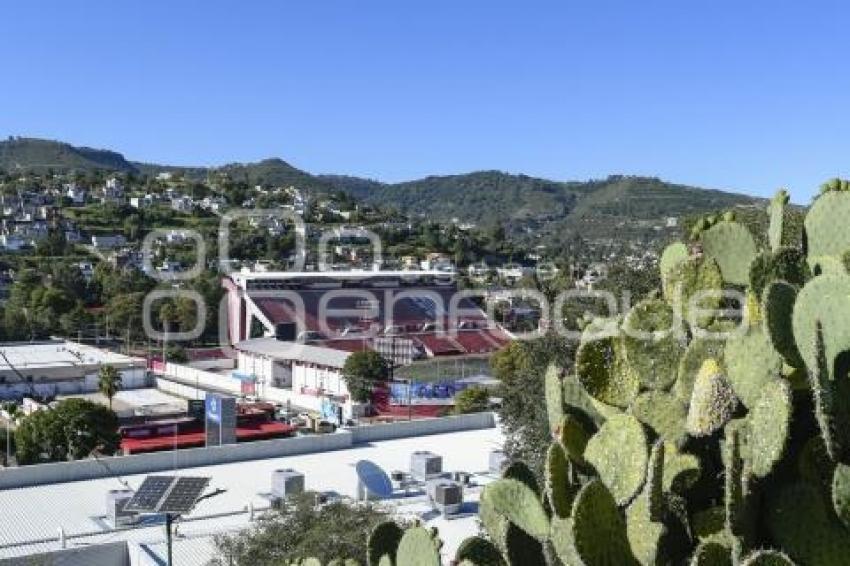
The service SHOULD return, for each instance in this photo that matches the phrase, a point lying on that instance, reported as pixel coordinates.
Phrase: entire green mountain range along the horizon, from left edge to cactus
(480, 197)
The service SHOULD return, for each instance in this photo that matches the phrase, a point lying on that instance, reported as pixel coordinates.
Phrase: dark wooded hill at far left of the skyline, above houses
(30, 154)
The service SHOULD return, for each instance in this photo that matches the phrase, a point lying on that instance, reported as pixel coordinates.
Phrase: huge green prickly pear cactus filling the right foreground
(686, 436)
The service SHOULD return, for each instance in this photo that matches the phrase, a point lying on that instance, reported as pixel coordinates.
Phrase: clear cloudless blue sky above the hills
(725, 94)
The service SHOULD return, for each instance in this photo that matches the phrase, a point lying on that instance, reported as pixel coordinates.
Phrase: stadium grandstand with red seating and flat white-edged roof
(348, 310)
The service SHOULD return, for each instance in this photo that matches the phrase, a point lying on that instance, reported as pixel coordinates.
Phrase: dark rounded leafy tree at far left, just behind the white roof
(73, 429)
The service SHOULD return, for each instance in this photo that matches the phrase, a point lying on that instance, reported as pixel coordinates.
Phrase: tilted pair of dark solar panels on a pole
(167, 494)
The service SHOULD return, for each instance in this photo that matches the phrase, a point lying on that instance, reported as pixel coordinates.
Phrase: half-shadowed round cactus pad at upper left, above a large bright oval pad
(604, 373)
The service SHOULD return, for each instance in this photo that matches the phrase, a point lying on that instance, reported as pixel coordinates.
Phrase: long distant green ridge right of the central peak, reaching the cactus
(487, 196)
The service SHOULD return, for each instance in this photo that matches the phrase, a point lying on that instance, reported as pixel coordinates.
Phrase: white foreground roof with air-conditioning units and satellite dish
(33, 515)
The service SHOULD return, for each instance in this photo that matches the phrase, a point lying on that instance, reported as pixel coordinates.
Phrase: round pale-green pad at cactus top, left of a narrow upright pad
(733, 248)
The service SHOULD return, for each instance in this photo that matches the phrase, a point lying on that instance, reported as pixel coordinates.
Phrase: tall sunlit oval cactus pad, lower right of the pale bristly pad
(769, 427)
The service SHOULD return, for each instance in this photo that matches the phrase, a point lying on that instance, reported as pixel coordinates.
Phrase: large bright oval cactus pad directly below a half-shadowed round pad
(619, 453)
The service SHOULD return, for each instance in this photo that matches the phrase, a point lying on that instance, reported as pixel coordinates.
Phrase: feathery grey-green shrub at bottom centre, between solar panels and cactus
(301, 528)
